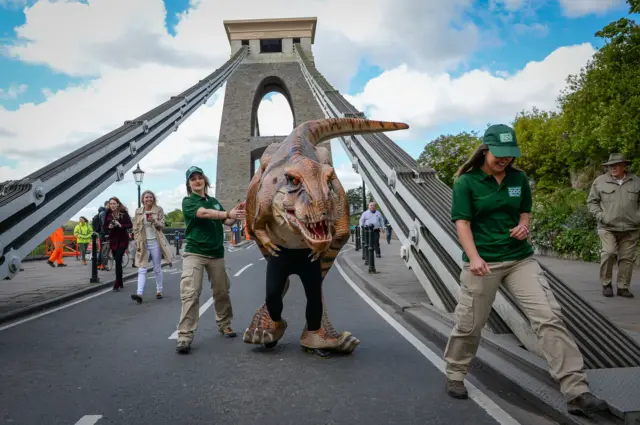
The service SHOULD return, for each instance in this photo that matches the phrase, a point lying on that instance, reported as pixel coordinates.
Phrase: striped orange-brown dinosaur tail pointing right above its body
(320, 130)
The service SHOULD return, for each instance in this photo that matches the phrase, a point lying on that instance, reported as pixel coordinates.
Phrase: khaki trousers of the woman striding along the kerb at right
(524, 279)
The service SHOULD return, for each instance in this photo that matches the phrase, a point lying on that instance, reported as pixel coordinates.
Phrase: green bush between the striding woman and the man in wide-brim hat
(561, 222)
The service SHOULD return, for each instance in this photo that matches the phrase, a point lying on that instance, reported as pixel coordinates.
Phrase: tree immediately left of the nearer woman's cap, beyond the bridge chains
(447, 153)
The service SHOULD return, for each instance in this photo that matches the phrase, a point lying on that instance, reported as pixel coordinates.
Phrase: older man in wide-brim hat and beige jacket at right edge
(614, 201)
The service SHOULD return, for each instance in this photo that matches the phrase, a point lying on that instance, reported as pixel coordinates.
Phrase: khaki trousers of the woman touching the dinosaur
(193, 267)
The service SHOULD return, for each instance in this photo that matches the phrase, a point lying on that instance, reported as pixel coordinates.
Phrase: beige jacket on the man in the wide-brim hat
(616, 207)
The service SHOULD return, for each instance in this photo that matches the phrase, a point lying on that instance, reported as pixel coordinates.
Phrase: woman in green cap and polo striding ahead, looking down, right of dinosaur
(491, 209)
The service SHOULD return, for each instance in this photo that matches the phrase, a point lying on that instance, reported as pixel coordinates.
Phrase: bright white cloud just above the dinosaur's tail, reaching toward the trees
(477, 96)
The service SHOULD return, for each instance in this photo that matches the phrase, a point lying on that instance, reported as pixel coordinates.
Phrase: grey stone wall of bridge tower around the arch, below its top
(235, 141)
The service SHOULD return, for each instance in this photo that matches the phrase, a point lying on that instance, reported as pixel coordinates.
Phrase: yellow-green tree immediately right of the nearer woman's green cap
(544, 148)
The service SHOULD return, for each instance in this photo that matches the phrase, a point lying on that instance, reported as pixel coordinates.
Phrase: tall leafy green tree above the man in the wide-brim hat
(601, 105)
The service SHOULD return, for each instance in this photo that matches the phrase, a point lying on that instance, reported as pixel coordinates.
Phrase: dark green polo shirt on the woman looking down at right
(493, 210)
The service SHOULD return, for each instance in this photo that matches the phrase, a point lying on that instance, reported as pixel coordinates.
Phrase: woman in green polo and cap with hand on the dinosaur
(204, 216)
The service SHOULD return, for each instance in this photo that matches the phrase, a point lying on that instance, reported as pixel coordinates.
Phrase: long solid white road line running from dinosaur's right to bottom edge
(495, 411)
